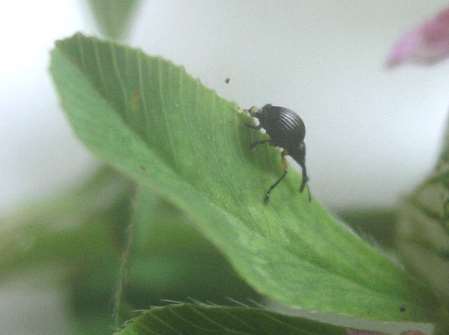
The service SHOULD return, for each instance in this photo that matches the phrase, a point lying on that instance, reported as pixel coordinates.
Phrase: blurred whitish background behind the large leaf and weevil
(371, 134)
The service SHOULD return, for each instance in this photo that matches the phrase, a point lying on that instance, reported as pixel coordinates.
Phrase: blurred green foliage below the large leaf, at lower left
(83, 232)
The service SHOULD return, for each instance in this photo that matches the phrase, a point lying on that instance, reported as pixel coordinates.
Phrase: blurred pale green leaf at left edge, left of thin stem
(68, 229)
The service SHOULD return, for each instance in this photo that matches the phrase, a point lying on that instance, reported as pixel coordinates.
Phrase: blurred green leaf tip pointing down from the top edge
(113, 16)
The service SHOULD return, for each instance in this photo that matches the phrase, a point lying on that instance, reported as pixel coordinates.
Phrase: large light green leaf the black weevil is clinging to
(152, 121)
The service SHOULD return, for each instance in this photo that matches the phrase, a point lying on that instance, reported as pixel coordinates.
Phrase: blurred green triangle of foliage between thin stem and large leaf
(172, 260)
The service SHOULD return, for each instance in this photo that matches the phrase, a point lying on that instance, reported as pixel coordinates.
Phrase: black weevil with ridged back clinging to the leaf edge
(287, 131)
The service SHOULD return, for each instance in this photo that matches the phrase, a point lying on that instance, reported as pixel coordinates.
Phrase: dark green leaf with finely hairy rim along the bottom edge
(202, 319)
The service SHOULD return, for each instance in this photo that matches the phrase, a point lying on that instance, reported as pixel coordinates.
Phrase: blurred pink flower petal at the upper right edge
(427, 44)
